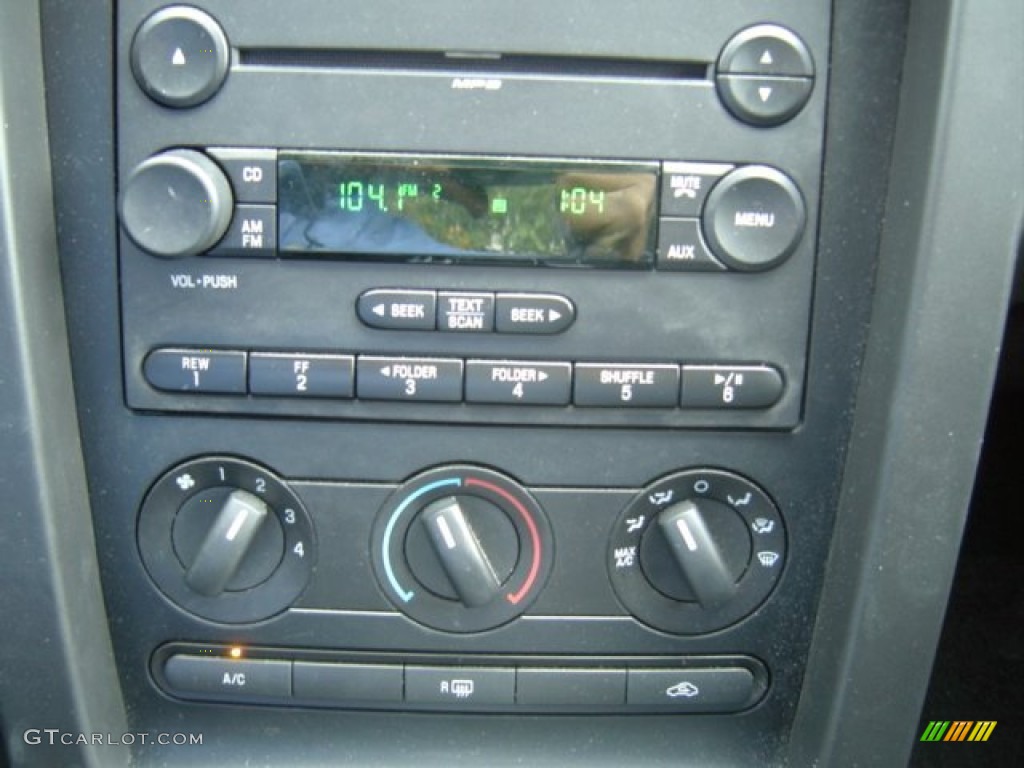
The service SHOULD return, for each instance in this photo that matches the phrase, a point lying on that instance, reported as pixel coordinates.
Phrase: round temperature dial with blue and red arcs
(462, 549)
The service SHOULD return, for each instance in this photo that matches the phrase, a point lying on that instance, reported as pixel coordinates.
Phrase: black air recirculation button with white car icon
(710, 690)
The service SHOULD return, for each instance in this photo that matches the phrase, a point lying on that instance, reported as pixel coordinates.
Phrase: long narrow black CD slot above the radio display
(462, 64)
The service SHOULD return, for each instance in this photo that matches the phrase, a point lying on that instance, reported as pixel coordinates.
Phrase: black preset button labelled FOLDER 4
(519, 383)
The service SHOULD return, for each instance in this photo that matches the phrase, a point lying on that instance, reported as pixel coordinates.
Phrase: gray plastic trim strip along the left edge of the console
(57, 664)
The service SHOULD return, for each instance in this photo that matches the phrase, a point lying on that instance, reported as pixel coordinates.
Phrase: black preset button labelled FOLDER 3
(419, 379)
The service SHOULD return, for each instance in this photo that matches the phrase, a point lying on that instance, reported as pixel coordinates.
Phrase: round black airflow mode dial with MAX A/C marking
(697, 551)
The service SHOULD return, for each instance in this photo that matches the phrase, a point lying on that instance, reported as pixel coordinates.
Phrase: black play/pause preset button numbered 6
(732, 387)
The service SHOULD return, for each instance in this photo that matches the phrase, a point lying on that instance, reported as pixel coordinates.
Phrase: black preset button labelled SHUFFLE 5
(626, 387)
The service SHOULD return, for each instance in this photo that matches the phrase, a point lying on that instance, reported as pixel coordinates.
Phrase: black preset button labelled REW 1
(206, 371)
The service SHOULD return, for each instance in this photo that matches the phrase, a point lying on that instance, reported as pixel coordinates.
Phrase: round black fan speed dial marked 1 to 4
(227, 540)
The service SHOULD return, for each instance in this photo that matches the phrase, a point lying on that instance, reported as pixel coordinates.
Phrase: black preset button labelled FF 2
(302, 375)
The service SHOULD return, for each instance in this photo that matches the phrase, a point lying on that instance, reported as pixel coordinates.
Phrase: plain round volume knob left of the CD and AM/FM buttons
(176, 204)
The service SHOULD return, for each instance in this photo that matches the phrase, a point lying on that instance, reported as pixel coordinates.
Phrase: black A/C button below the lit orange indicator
(218, 677)
